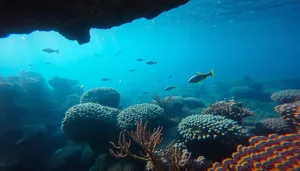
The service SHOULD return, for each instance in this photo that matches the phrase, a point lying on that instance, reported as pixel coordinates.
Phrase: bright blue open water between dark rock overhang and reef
(236, 38)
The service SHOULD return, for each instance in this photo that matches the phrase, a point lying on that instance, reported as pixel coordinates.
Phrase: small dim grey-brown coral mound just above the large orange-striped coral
(272, 126)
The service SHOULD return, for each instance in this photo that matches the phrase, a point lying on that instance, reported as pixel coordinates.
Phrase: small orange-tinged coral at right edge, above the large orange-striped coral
(291, 113)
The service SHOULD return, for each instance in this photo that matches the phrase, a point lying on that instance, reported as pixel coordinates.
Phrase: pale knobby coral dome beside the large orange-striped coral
(200, 127)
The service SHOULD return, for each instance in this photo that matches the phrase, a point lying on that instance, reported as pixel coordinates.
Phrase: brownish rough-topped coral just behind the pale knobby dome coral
(229, 109)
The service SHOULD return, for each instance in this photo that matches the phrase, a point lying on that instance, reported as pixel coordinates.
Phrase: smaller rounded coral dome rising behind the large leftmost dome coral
(103, 95)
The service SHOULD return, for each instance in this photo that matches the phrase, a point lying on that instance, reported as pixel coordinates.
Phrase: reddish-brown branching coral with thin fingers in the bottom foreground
(172, 158)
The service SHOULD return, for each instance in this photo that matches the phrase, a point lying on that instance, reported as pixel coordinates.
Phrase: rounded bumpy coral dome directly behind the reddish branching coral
(146, 112)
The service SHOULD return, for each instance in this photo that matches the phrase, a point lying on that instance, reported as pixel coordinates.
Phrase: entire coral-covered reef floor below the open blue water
(187, 135)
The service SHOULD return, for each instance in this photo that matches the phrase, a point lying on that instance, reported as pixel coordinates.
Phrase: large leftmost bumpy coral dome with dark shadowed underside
(84, 121)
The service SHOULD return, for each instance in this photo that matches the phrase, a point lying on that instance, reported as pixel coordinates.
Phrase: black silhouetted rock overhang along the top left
(74, 18)
